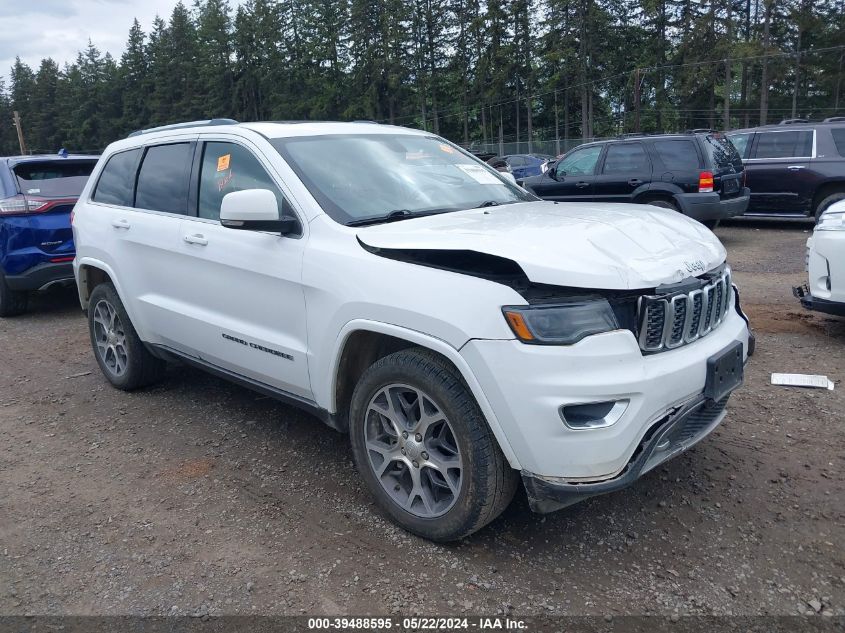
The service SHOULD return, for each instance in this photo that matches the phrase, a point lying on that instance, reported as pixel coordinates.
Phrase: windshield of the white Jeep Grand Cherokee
(357, 177)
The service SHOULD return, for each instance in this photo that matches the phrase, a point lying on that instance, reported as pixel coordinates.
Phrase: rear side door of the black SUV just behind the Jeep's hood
(626, 171)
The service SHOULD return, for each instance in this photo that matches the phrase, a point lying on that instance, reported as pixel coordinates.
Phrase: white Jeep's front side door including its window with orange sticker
(244, 308)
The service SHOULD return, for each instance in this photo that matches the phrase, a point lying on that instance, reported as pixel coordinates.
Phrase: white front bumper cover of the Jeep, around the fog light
(526, 386)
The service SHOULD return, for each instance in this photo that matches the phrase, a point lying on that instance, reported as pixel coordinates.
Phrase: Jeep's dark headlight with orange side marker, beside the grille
(561, 323)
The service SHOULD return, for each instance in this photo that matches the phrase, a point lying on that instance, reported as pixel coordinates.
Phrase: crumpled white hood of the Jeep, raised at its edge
(587, 245)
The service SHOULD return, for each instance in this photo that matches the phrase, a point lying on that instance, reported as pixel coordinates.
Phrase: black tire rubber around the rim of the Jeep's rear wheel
(140, 367)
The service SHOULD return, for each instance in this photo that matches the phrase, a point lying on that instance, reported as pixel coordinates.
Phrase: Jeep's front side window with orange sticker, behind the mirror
(228, 167)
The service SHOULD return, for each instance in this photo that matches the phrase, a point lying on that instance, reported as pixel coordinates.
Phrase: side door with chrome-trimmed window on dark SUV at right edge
(777, 172)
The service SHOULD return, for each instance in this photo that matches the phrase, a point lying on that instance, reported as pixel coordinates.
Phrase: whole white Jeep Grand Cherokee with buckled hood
(464, 333)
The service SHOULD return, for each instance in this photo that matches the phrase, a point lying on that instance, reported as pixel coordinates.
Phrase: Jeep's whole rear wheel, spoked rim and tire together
(122, 357)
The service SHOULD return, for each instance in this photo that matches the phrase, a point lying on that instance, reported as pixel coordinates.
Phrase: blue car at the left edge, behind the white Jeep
(37, 194)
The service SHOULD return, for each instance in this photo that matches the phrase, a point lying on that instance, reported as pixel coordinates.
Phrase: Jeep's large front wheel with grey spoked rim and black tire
(424, 449)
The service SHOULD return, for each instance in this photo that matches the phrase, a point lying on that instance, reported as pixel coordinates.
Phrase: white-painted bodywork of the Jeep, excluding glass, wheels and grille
(305, 296)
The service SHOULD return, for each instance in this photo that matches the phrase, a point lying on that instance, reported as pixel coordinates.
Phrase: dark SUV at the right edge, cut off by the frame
(794, 168)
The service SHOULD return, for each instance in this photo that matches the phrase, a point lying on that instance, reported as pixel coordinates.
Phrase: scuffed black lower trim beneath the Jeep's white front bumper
(671, 434)
